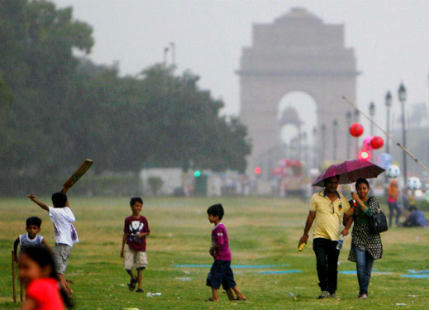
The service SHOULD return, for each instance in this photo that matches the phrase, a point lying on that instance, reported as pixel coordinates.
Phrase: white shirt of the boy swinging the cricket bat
(63, 219)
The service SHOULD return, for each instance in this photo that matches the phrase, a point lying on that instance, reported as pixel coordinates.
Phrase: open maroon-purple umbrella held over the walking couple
(349, 171)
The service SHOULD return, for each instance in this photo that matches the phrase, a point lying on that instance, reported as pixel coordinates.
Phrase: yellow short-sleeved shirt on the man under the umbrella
(329, 215)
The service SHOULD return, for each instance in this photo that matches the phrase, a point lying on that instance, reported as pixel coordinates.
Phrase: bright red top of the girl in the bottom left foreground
(46, 293)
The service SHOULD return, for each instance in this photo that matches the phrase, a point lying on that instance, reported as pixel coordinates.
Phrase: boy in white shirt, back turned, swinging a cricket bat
(65, 233)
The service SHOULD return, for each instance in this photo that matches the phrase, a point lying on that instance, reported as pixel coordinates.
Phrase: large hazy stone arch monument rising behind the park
(297, 52)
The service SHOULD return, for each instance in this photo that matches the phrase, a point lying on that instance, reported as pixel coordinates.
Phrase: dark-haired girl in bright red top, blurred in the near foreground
(38, 273)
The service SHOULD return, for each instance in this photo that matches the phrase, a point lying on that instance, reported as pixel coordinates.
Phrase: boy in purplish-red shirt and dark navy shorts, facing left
(220, 272)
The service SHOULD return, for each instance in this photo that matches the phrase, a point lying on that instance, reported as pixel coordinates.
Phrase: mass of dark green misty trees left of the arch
(57, 109)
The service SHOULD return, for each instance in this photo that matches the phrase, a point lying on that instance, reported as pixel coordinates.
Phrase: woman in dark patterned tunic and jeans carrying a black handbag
(366, 247)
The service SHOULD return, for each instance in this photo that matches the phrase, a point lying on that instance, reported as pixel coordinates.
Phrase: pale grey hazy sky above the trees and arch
(390, 38)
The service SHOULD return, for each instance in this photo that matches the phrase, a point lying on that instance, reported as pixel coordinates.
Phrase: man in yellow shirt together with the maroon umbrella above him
(327, 209)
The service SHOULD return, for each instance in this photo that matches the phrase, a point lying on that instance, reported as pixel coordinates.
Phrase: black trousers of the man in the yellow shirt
(327, 262)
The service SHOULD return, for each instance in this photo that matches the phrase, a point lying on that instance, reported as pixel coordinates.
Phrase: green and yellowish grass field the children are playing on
(261, 231)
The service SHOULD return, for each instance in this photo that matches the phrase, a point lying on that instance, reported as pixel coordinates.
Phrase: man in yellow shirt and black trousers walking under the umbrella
(327, 209)
